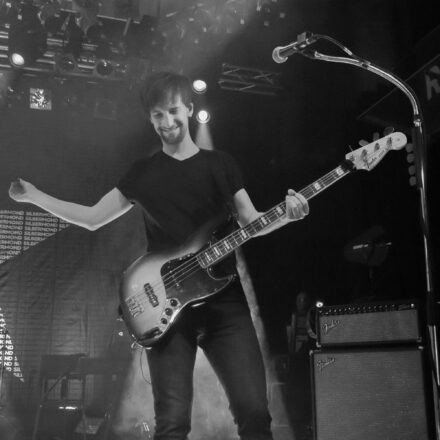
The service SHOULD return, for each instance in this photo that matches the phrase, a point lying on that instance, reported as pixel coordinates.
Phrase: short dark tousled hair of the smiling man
(160, 85)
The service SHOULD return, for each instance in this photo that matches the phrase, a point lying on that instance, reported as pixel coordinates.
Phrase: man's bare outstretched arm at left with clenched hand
(110, 207)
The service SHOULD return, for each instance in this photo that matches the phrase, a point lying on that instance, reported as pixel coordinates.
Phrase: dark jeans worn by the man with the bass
(223, 329)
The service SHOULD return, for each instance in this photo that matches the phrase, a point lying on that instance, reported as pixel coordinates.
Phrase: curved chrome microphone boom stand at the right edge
(420, 150)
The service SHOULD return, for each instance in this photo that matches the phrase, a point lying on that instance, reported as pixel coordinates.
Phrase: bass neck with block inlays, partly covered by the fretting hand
(228, 244)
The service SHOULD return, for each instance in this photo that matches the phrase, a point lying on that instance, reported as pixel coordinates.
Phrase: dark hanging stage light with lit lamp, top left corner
(26, 37)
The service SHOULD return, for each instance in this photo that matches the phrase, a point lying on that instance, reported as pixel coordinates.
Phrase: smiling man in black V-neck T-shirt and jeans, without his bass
(180, 188)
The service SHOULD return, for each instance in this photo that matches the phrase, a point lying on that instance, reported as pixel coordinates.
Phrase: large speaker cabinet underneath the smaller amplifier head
(369, 394)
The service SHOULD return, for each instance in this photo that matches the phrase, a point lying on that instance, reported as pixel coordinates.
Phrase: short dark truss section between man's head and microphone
(247, 80)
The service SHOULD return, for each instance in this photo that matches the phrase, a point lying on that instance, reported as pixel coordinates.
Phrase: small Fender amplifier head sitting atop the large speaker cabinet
(368, 323)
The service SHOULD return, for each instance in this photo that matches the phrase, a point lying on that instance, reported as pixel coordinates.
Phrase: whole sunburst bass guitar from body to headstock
(158, 286)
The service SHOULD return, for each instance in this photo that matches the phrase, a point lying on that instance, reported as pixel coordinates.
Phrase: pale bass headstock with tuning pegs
(368, 156)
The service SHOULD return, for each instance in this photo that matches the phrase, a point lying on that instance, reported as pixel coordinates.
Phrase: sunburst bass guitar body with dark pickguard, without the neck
(159, 285)
